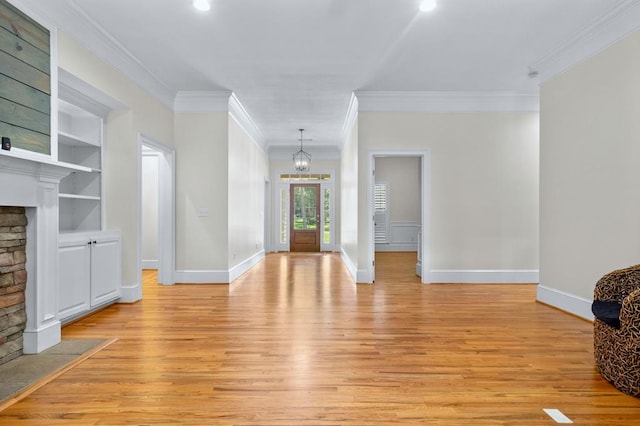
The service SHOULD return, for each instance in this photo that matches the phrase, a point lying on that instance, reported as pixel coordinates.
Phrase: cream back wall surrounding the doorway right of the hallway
(483, 184)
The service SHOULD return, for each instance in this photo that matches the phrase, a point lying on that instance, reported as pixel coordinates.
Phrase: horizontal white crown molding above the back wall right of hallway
(439, 102)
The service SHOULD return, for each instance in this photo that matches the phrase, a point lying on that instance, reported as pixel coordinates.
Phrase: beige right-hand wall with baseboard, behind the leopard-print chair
(589, 175)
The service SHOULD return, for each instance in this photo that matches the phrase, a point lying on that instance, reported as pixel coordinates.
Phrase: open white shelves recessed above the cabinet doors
(80, 143)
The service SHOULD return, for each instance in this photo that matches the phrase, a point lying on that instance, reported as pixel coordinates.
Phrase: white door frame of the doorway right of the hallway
(425, 172)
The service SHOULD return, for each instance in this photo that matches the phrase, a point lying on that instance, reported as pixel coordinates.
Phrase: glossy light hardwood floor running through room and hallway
(294, 341)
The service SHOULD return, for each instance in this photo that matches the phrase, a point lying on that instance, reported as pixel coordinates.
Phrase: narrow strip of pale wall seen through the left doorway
(149, 211)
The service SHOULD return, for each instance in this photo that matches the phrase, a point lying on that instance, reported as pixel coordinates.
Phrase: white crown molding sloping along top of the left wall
(74, 22)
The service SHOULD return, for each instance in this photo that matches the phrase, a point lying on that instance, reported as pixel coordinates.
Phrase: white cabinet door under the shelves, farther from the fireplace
(105, 271)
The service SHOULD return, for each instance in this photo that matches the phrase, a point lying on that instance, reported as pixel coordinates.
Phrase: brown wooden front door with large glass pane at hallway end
(305, 217)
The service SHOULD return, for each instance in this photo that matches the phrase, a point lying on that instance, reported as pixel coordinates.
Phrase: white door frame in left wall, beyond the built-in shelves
(166, 210)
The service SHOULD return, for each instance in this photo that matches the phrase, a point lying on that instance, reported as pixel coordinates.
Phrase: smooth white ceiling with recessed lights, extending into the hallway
(295, 63)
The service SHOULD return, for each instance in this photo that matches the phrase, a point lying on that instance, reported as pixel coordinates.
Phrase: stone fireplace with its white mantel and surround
(28, 252)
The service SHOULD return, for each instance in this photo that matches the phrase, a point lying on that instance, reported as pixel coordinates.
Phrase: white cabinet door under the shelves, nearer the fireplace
(74, 277)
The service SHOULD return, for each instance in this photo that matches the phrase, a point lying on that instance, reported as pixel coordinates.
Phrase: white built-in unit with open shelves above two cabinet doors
(89, 258)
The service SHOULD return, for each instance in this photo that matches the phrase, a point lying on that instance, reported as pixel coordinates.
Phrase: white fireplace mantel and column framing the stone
(33, 181)
